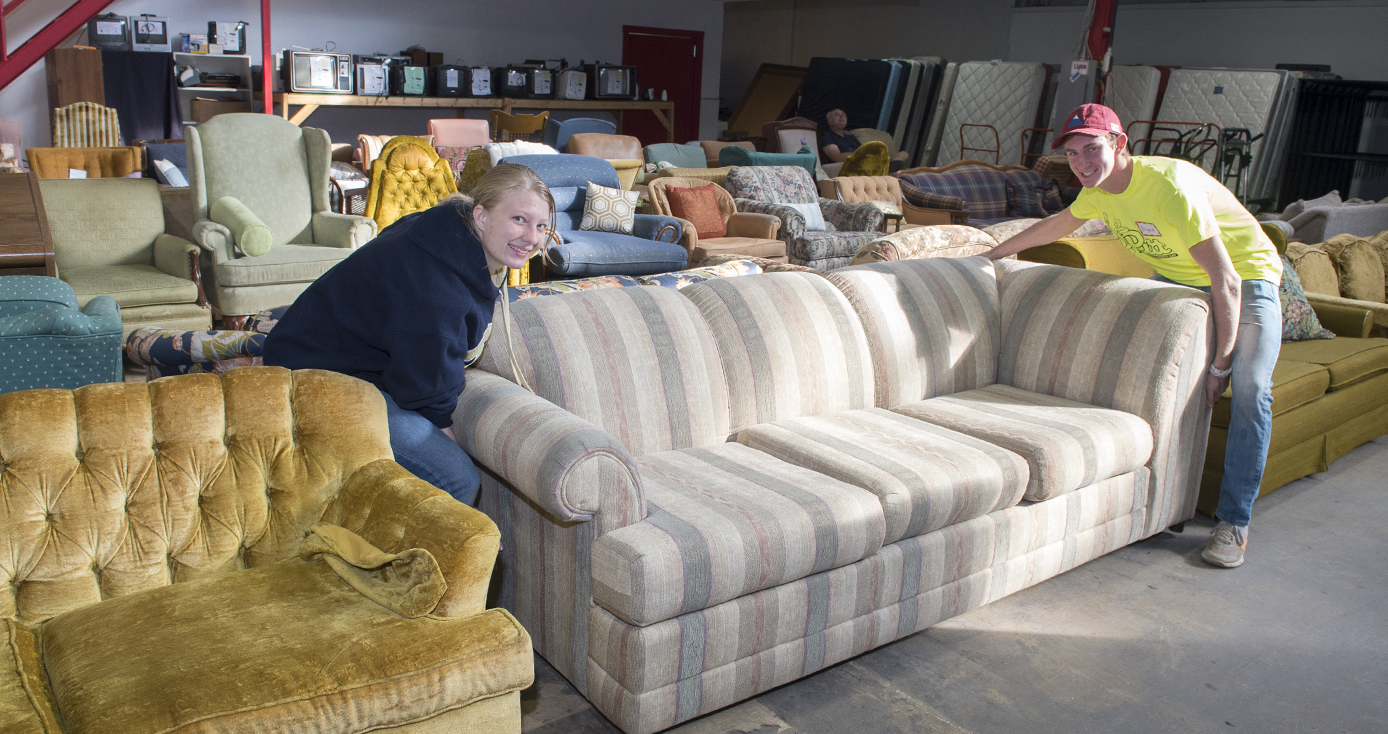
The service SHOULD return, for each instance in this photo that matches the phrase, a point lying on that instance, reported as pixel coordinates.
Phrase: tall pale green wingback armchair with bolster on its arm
(260, 203)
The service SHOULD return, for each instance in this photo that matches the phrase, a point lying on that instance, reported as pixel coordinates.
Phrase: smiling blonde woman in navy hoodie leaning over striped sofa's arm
(413, 309)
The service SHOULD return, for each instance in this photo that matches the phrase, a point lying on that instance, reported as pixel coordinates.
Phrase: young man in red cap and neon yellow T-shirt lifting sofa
(1193, 231)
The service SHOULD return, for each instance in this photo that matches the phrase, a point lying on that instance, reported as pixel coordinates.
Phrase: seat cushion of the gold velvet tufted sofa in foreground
(262, 649)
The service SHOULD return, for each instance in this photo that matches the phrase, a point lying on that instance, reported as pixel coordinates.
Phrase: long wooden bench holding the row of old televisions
(664, 112)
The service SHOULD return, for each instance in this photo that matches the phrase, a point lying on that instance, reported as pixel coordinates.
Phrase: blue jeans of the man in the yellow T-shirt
(1251, 407)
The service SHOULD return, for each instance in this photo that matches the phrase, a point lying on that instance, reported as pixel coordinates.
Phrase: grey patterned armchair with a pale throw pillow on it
(818, 232)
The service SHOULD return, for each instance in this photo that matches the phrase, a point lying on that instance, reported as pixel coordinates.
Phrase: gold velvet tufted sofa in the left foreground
(164, 567)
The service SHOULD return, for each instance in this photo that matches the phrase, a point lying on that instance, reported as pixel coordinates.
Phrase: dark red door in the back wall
(670, 62)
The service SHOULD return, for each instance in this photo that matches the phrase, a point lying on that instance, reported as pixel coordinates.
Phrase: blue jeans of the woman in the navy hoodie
(431, 456)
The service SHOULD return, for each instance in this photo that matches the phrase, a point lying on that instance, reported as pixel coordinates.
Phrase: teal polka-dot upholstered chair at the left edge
(48, 342)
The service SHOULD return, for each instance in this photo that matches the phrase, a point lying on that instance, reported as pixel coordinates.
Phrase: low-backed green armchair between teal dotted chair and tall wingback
(109, 241)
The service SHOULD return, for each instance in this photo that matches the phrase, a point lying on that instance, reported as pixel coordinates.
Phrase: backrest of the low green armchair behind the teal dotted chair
(103, 221)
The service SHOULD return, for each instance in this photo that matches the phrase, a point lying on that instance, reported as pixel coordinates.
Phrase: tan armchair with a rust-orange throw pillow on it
(747, 234)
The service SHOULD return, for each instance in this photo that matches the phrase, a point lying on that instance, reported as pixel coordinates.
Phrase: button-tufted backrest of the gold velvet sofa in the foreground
(120, 488)
